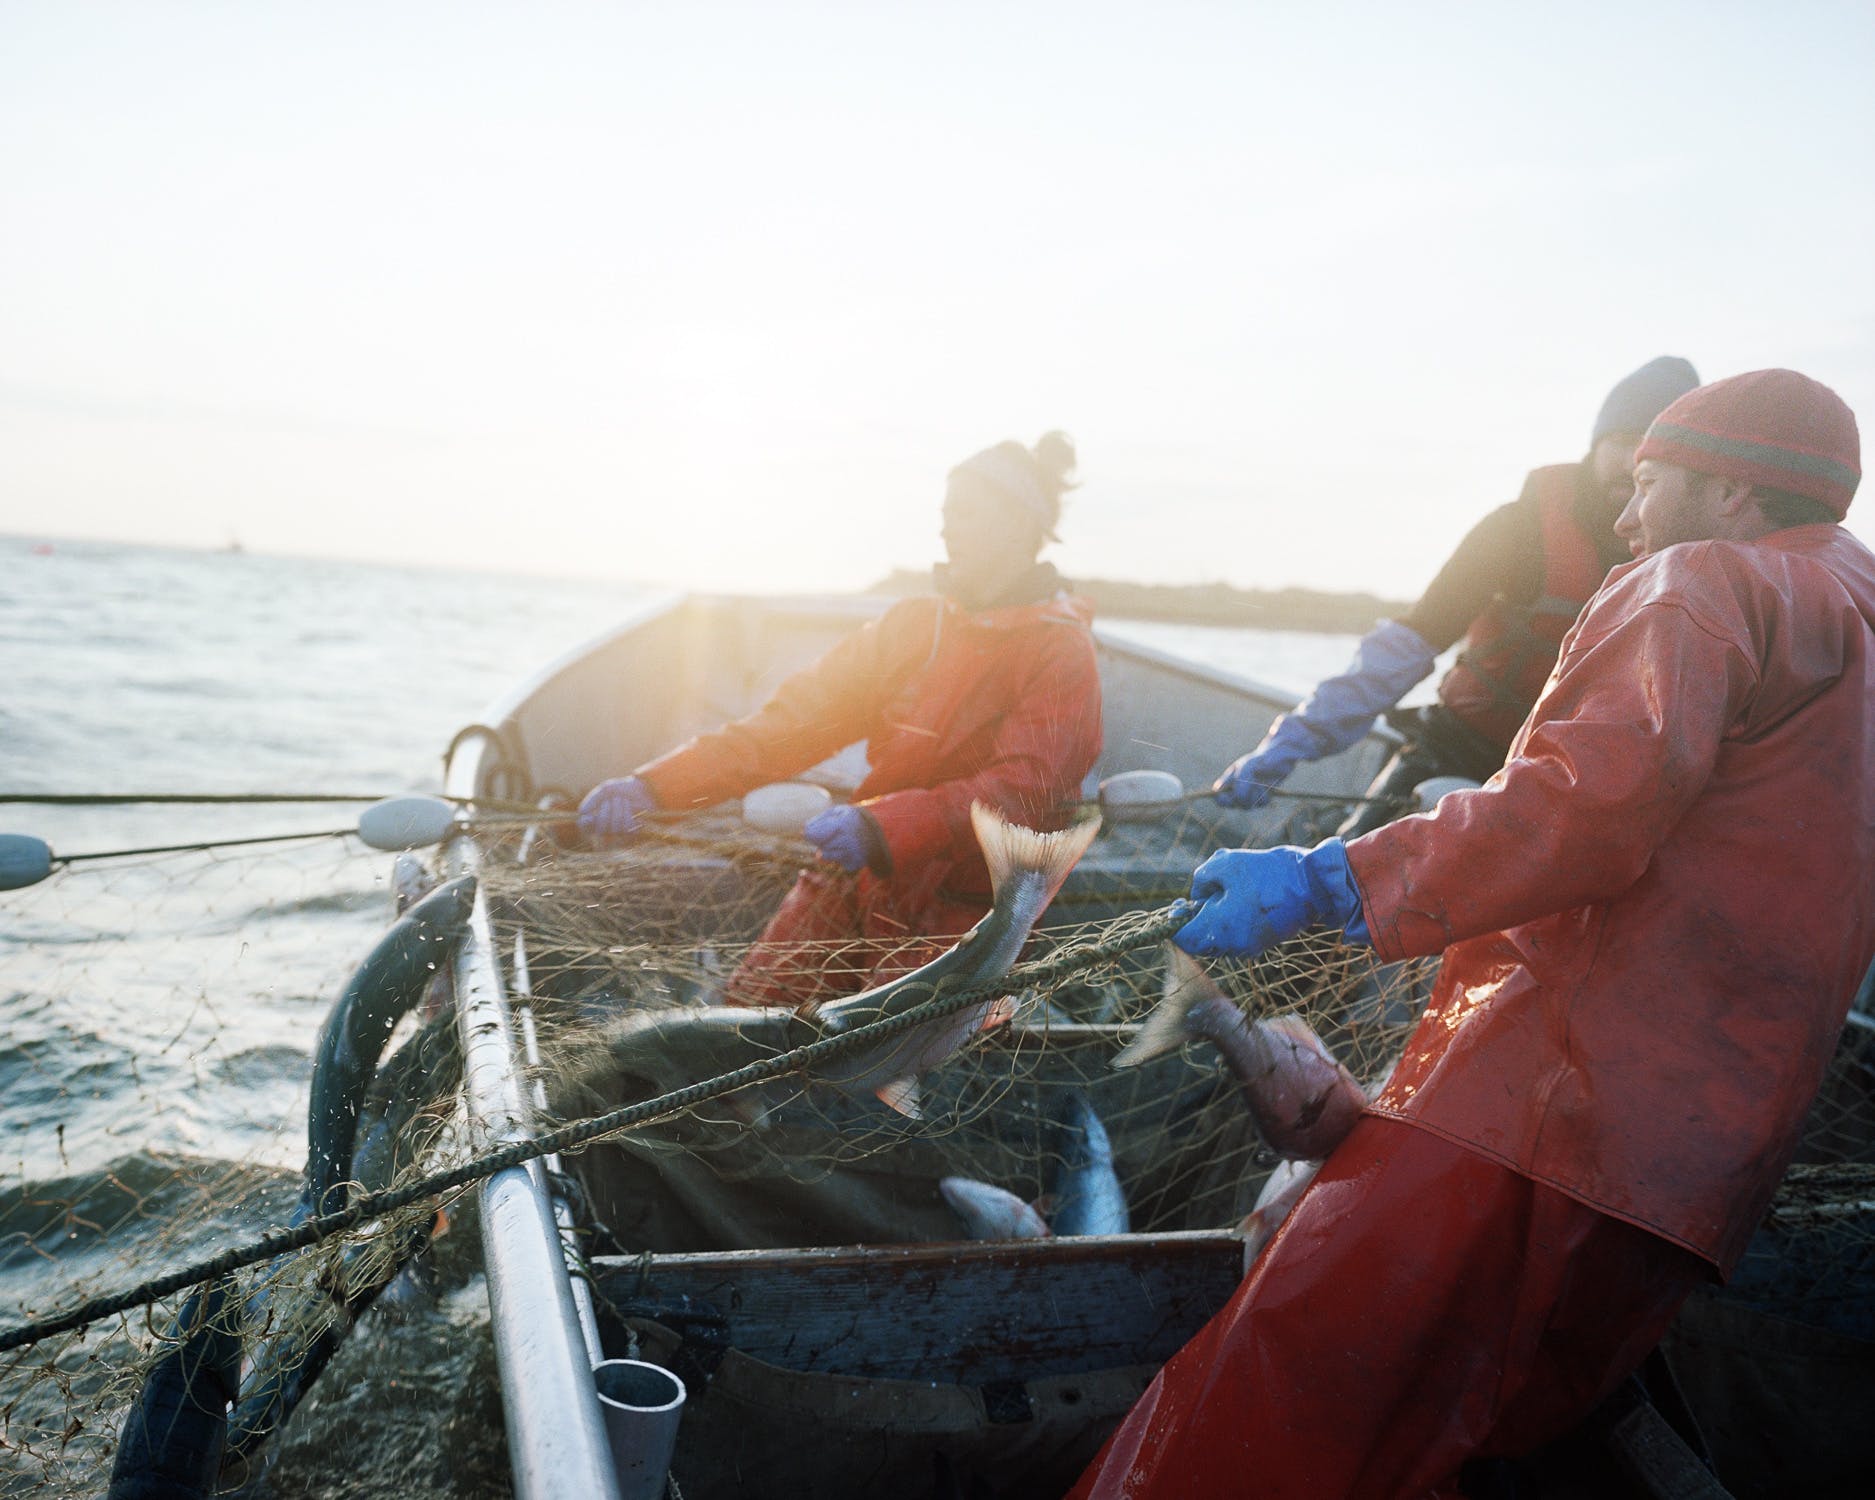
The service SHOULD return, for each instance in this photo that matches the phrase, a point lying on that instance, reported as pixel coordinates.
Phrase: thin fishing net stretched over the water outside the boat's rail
(157, 1115)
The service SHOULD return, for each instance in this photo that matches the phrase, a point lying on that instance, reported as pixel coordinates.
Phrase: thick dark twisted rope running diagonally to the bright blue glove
(1126, 937)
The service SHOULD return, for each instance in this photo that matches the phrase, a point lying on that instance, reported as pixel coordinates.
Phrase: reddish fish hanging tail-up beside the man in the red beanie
(1302, 1100)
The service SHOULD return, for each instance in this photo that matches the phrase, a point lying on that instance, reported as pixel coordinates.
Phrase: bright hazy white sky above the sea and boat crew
(715, 295)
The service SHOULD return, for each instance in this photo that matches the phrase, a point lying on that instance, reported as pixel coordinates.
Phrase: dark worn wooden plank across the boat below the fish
(965, 1312)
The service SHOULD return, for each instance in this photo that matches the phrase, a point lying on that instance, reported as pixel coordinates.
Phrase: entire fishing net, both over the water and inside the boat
(177, 978)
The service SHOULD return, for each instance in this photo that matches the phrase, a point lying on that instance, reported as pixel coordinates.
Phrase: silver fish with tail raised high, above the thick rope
(1027, 869)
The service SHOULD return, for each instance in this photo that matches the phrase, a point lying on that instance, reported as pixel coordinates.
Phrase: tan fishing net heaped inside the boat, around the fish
(631, 998)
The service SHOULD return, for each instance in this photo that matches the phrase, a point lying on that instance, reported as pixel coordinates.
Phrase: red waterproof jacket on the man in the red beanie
(1657, 914)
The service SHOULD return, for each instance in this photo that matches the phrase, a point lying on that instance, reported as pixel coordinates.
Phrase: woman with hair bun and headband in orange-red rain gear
(983, 693)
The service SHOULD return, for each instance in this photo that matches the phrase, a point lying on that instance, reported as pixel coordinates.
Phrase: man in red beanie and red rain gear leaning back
(1653, 923)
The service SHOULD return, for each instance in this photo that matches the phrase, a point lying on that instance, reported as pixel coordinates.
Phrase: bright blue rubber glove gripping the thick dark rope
(1255, 899)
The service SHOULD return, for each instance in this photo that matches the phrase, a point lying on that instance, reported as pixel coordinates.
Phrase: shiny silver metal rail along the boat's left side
(556, 1435)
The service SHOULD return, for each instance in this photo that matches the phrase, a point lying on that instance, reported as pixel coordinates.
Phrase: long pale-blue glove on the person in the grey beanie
(1388, 661)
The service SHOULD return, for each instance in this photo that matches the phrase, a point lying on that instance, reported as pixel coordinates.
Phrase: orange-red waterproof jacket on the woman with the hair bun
(1000, 708)
